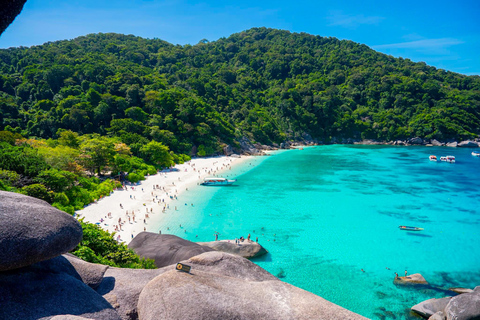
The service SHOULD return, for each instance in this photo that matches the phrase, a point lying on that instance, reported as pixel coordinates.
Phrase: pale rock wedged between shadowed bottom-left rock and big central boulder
(122, 287)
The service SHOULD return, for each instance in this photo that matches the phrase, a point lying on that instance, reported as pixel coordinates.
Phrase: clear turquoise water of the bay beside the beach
(328, 212)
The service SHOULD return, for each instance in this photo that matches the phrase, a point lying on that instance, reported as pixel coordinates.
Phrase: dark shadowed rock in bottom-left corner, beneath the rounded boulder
(40, 292)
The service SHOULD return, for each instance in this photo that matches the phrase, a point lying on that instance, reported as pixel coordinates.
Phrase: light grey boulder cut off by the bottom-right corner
(464, 307)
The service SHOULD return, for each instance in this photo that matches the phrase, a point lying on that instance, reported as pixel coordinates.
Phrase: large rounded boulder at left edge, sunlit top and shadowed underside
(31, 230)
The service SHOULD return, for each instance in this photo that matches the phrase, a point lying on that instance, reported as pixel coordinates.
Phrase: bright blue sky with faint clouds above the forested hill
(445, 34)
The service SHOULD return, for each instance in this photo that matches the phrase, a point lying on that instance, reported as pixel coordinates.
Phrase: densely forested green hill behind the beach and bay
(269, 85)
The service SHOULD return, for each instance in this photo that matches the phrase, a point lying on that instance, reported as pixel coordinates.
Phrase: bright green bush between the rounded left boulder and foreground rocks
(99, 246)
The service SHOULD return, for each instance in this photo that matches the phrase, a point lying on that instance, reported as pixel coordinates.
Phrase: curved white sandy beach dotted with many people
(149, 201)
